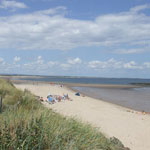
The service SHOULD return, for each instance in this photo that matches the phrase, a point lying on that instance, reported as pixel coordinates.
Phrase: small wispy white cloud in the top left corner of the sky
(10, 4)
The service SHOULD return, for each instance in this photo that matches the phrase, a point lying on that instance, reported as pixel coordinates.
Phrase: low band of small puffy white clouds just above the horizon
(41, 66)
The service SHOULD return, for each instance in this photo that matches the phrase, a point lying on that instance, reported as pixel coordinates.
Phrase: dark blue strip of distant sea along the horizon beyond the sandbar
(88, 80)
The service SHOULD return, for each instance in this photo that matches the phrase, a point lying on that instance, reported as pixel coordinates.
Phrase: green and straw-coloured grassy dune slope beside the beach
(26, 124)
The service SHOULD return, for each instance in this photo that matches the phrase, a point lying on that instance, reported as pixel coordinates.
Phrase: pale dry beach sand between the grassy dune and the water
(131, 127)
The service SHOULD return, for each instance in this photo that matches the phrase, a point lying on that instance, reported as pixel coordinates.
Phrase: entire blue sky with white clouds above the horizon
(98, 38)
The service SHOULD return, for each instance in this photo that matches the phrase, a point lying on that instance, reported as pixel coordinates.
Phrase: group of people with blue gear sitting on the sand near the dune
(51, 99)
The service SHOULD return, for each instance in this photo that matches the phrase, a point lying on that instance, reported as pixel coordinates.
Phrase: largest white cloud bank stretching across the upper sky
(50, 29)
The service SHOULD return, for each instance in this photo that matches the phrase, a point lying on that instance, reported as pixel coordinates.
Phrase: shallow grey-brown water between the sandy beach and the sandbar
(134, 98)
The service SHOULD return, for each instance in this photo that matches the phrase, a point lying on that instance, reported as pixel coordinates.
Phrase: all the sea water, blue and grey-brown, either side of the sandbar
(134, 98)
